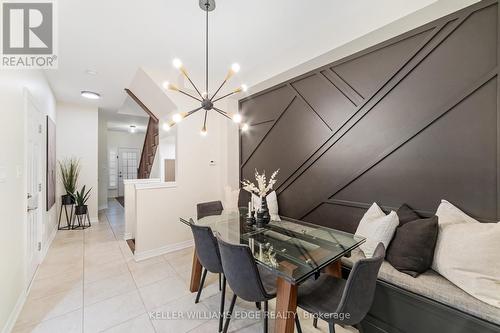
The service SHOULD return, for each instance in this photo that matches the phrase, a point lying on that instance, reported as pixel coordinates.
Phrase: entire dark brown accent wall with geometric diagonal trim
(413, 119)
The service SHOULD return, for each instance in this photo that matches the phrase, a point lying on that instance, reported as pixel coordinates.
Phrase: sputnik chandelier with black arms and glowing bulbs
(206, 100)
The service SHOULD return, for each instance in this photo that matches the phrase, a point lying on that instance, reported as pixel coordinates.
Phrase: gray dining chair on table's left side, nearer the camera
(247, 280)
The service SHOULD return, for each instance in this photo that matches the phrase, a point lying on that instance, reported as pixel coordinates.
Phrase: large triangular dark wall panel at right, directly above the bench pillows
(454, 158)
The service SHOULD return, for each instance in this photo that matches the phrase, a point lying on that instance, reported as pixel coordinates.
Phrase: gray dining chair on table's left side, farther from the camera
(207, 251)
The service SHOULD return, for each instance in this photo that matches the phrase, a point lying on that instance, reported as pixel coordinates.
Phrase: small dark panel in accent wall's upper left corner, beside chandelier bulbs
(267, 107)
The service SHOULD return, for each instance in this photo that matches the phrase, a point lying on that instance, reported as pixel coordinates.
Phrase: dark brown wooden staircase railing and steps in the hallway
(151, 140)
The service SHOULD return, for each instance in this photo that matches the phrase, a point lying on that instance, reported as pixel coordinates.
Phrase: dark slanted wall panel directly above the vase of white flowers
(283, 148)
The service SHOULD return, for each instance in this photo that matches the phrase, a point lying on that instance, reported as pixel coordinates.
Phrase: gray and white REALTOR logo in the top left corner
(28, 35)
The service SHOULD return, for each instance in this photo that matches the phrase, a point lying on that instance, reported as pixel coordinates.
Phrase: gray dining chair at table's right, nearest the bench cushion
(338, 301)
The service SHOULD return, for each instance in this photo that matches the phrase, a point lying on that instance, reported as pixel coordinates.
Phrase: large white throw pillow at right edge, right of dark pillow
(468, 253)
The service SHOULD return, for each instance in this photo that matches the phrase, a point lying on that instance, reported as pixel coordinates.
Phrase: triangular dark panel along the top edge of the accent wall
(367, 72)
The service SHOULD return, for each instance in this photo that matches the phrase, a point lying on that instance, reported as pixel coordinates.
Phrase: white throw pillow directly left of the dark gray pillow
(376, 227)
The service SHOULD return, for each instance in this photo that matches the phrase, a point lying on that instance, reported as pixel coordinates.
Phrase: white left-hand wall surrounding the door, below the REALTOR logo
(13, 185)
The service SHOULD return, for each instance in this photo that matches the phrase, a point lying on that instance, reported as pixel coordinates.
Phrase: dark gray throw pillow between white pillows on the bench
(412, 249)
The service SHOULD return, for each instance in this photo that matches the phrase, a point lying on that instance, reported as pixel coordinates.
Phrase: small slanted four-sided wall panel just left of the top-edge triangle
(326, 99)
